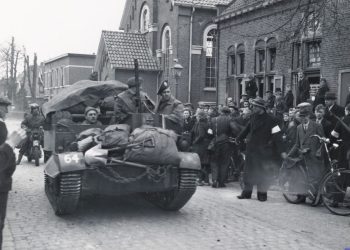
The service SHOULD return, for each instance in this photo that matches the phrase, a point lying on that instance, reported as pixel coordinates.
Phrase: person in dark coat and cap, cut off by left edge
(7, 166)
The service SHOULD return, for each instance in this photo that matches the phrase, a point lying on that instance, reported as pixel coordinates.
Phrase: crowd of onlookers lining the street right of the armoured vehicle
(266, 131)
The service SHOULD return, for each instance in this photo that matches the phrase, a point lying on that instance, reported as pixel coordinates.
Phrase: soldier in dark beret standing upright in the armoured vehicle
(171, 108)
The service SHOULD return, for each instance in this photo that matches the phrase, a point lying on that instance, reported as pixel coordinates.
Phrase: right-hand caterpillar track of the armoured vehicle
(175, 199)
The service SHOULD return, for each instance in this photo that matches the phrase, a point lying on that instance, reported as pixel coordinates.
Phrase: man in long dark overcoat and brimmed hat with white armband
(264, 149)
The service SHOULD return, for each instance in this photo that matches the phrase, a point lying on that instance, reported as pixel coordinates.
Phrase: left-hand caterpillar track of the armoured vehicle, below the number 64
(63, 192)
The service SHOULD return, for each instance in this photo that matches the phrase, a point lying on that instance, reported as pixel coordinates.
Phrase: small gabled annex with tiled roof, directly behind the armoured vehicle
(115, 59)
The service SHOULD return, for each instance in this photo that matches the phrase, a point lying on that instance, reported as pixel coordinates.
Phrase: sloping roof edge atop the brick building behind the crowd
(240, 7)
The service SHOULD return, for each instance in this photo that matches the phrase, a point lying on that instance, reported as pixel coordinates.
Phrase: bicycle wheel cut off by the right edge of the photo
(335, 192)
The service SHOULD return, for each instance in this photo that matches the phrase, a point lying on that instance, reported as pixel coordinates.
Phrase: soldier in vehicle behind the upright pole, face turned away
(126, 102)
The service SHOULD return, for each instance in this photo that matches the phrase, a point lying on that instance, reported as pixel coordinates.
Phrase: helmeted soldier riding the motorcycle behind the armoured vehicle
(34, 120)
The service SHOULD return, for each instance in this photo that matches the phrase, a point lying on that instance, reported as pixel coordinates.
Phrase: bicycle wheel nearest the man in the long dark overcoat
(293, 183)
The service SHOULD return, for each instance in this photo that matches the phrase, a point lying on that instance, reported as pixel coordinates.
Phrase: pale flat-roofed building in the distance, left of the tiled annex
(65, 70)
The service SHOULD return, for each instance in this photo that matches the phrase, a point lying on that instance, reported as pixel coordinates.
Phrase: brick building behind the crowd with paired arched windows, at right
(276, 39)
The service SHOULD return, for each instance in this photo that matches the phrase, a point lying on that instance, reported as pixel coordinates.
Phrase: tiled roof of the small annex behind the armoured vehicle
(123, 48)
